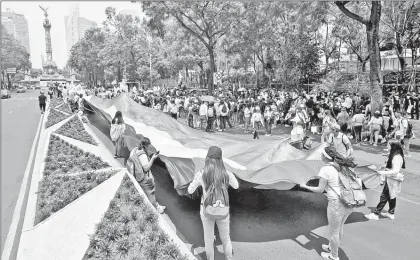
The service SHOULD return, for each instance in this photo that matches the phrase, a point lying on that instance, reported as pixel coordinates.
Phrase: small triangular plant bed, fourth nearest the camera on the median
(75, 129)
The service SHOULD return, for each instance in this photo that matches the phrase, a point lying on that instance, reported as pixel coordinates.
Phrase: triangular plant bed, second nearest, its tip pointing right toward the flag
(56, 192)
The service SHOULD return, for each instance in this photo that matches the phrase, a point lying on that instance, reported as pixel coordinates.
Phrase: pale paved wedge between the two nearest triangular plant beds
(65, 235)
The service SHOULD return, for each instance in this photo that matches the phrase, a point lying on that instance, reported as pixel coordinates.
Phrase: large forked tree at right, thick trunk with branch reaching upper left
(372, 32)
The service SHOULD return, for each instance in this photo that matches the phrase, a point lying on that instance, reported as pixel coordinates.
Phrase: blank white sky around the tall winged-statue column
(94, 11)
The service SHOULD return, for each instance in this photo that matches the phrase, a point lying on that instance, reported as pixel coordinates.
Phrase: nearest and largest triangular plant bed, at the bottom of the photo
(130, 230)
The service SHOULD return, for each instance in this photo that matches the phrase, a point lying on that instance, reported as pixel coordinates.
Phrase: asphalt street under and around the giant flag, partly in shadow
(271, 225)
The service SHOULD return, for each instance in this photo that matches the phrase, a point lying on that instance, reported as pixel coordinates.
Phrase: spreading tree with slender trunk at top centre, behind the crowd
(207, 21)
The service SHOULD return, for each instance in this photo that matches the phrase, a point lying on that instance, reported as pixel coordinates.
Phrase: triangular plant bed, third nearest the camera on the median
(63, 158)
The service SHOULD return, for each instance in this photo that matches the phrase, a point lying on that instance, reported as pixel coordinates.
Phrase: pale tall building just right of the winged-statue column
(76, 26)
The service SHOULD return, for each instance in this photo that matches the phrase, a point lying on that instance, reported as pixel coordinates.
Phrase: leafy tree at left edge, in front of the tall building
(13, 55)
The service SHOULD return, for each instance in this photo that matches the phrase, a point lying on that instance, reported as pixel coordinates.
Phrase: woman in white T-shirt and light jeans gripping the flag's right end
(337, 211)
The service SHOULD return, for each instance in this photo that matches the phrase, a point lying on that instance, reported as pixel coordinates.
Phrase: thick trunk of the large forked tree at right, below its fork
(372, 31)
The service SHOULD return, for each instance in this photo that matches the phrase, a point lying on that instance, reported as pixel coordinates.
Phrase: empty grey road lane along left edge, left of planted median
(20, 117)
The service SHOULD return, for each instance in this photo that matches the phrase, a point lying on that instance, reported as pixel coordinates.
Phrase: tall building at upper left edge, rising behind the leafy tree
(17, 26)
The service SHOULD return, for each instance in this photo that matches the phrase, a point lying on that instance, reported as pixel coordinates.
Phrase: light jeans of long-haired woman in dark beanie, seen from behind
(224, 232)
